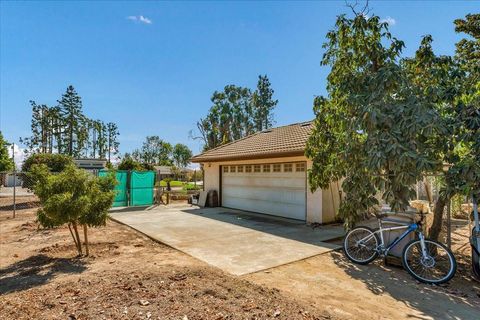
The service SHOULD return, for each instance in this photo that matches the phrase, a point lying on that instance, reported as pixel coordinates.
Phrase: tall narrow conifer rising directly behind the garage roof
(263, 104)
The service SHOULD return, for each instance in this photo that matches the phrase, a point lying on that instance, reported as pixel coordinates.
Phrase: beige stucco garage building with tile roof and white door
(266, 172)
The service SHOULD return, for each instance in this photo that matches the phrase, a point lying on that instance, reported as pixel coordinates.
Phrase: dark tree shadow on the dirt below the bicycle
(456, 300)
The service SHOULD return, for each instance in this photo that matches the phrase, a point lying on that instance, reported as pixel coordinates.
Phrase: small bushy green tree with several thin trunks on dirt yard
(73, 197)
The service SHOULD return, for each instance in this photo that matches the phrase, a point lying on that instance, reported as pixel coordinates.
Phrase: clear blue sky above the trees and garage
(152, 67)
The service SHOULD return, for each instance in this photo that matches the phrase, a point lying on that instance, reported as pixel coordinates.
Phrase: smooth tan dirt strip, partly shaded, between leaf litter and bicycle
(378, 291)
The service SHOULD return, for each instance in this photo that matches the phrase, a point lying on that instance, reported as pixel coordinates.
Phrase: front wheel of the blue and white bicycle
(437, 266)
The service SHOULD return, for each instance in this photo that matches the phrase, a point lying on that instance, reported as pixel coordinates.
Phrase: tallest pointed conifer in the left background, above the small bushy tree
(71, 110)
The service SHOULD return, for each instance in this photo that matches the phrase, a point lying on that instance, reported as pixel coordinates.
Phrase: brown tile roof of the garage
(276, 142)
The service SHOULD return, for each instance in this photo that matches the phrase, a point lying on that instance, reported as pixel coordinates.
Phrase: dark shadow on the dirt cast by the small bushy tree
(36, 271)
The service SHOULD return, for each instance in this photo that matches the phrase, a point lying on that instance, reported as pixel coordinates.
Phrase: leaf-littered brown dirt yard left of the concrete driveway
(127, 276)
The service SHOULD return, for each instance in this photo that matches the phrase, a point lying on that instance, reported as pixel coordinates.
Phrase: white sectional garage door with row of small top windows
(277, 189)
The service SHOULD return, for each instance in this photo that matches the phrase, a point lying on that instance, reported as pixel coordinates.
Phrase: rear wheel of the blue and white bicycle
(360, 245)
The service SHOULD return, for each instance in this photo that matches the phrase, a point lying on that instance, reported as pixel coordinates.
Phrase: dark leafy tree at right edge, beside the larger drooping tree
(452, 84)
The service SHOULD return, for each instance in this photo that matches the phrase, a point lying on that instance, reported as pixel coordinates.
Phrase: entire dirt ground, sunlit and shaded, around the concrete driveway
(129, 276)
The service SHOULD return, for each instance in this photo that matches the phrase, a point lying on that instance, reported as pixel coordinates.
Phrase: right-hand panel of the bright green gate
(141, 188)
